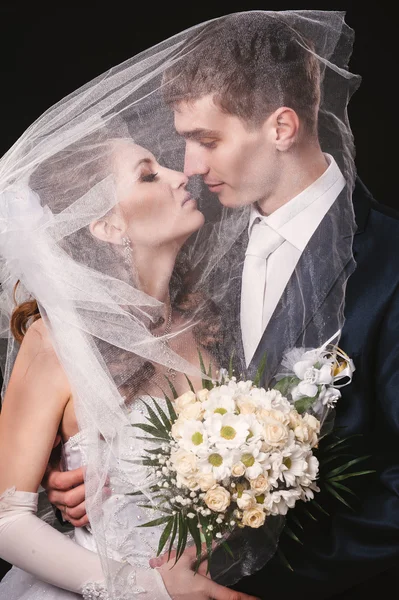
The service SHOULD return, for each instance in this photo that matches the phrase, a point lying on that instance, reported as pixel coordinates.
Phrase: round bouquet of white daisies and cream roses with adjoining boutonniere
(233, 454)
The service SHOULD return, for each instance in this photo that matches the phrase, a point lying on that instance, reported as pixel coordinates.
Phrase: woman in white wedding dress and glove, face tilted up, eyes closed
(94, 254)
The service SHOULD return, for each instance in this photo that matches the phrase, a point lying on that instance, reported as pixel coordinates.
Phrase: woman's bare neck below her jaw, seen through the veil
(153, 269)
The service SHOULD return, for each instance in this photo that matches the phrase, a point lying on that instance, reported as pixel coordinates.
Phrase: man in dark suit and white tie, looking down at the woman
(252, 150)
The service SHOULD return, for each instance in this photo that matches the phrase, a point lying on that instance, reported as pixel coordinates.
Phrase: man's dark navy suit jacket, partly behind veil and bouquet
(348, 547)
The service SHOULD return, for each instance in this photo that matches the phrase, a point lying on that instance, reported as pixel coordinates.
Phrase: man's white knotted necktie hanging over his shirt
(262, 242)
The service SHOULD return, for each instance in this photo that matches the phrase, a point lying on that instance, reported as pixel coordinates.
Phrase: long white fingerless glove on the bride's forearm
(36, 547)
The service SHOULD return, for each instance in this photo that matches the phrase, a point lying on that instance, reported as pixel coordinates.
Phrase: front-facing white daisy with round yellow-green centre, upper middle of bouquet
(227, 431)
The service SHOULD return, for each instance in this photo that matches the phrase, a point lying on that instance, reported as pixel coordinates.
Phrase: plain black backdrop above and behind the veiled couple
(47, 52)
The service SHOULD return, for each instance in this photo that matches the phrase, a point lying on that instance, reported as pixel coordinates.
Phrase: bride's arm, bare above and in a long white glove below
(32, 410)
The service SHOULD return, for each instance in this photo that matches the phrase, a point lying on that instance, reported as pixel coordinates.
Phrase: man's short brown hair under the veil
(252, 64)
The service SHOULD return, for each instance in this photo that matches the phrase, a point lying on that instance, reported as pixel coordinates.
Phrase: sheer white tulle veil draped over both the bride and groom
(58, 178)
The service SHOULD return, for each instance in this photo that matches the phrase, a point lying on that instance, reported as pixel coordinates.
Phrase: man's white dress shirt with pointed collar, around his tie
(296, 221)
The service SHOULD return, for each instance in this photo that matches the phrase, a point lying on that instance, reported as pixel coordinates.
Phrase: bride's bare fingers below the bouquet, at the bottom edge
(182, 583)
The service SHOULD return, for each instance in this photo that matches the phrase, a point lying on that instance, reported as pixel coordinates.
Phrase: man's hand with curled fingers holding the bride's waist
(66, 491)
